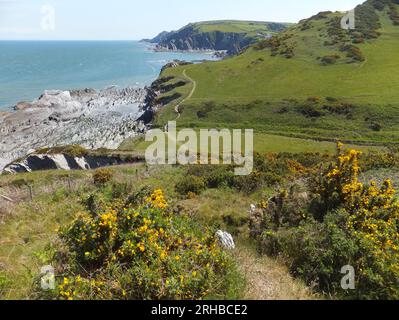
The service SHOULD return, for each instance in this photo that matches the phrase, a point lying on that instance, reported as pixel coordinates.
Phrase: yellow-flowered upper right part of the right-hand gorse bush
(366, 221)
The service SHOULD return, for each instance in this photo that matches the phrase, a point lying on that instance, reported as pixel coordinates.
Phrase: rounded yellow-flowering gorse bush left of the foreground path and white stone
(143, 251)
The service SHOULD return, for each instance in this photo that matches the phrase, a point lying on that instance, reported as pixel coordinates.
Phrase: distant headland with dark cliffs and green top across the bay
(229, 36)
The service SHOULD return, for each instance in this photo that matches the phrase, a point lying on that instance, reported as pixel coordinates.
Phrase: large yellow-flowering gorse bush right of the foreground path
(342, 222)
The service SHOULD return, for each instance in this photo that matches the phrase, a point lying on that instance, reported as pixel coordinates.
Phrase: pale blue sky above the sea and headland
(134, 19)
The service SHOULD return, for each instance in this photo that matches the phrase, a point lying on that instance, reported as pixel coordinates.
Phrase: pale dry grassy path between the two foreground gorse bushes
(268, 279)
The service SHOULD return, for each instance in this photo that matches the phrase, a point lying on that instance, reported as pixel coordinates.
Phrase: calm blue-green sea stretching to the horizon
(27, 68)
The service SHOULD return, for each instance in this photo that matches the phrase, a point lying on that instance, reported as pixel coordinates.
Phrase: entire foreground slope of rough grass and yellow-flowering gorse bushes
(202, 200)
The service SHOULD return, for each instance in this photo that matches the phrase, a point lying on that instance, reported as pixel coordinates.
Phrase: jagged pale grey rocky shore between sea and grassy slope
(90, 118)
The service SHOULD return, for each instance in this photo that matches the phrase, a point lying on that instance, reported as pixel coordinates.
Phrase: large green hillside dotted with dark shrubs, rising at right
(314, 80)
